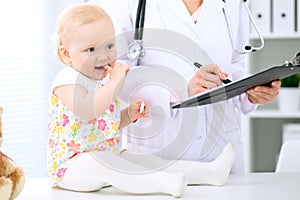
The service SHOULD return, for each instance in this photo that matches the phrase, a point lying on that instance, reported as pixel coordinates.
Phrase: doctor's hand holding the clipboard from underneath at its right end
(264, 94)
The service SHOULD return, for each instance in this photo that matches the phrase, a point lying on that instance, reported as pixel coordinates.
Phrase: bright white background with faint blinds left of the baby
(27, 67)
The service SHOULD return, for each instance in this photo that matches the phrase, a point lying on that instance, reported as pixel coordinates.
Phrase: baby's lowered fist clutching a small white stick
(137, 110)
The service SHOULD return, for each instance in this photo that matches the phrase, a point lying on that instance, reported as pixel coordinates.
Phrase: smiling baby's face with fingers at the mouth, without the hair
(91, 47)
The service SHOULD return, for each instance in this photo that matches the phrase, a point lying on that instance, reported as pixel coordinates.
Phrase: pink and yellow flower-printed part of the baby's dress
(69, 135)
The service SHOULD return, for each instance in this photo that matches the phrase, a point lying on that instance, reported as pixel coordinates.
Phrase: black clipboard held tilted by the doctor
(230, 90)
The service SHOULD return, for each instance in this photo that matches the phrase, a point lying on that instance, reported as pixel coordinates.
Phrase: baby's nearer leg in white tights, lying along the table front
(88, 174)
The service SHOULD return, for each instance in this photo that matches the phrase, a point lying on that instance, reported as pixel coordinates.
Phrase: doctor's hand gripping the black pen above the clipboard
(207, 77)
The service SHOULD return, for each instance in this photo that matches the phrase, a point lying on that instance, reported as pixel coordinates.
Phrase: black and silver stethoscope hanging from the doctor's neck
(137, 51)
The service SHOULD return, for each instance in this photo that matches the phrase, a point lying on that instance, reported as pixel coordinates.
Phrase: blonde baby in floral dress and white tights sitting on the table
(84, 151)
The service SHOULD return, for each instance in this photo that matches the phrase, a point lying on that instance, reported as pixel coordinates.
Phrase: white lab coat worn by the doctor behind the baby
(202, 132)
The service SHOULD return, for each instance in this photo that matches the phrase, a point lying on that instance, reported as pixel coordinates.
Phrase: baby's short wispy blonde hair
(76, 15)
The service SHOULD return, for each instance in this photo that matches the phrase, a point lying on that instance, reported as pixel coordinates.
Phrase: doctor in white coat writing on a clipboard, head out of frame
(204, 23)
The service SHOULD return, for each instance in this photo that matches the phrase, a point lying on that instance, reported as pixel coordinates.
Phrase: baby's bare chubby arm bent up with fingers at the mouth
(89, 105)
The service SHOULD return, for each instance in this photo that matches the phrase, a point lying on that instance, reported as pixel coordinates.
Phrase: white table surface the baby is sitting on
(256, 186)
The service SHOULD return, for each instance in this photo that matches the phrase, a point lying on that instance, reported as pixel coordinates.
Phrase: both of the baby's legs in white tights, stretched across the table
(136, 173)
